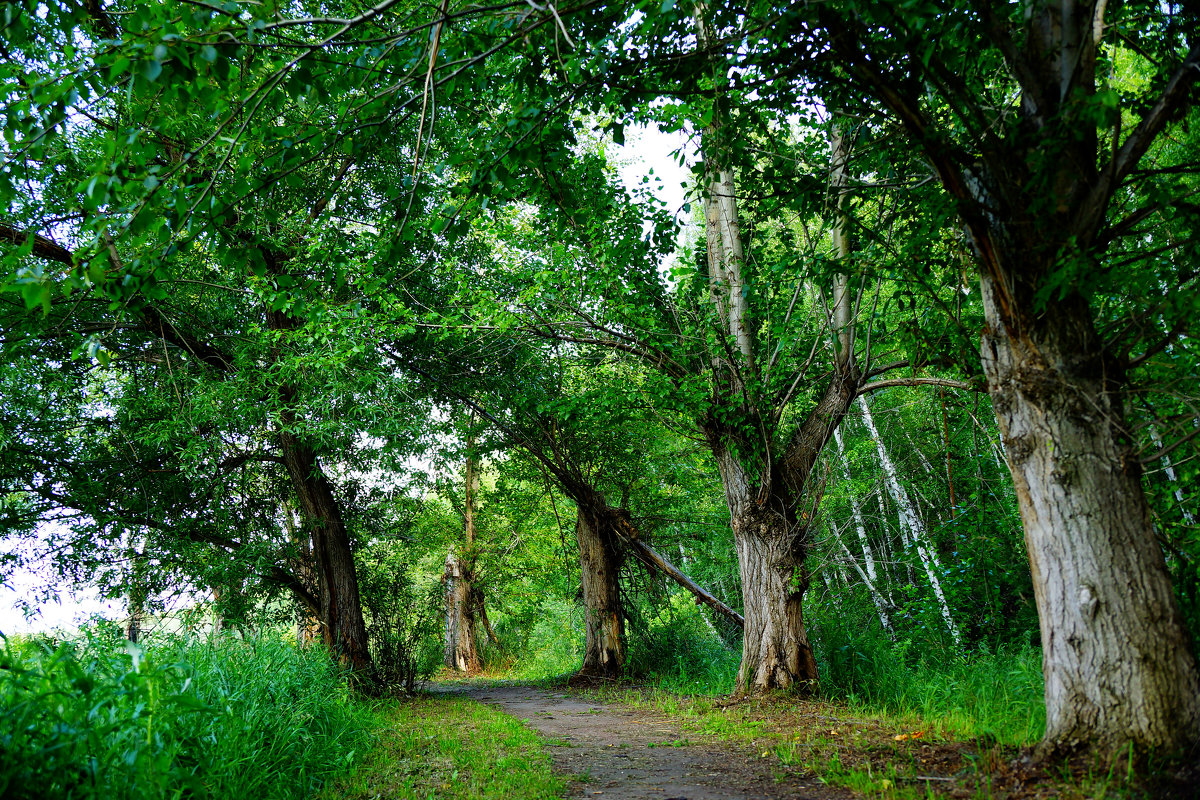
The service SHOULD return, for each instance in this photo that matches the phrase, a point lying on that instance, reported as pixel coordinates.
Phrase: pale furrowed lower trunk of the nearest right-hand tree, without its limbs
(1117, 657)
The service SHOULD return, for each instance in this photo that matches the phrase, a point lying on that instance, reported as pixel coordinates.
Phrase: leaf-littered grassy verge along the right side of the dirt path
(891, 756)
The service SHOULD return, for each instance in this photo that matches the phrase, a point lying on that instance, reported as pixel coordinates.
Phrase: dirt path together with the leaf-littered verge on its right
(623, 743)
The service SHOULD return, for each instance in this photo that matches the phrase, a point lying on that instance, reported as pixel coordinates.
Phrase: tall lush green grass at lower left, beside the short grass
(98, 719)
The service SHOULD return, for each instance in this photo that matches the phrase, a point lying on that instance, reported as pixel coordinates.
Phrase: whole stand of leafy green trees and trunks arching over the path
(340, 316)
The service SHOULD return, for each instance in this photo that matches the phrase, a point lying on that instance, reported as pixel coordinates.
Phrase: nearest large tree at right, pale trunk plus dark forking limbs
(1115, 654)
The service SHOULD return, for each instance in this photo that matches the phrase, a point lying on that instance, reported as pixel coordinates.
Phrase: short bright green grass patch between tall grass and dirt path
(449, 748)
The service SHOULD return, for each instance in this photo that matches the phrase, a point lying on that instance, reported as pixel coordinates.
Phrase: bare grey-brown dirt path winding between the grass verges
(631, 755)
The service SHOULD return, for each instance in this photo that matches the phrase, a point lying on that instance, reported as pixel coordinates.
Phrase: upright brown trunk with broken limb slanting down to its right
(604, 619)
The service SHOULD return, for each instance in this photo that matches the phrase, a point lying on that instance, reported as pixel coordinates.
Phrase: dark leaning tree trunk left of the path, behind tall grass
(343, 627)
